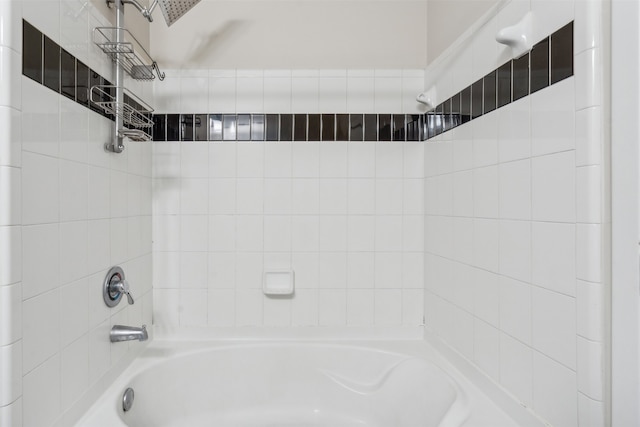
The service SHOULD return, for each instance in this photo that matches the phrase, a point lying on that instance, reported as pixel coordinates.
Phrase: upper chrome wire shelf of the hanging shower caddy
(130, 54)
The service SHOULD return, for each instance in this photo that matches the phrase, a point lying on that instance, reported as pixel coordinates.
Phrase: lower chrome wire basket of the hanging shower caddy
(134, 112)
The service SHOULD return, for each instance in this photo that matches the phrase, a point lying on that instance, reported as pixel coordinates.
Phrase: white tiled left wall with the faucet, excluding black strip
(69, 211)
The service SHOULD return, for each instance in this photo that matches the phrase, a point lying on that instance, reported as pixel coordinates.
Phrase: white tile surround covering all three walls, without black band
(501, 224)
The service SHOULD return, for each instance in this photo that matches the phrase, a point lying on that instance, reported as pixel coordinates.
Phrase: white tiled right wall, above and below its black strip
(524, 188)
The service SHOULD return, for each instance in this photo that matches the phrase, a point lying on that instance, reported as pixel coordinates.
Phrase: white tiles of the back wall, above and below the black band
(342, 215)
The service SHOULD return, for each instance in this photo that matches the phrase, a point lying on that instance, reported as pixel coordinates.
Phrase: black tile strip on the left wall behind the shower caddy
(48, 64)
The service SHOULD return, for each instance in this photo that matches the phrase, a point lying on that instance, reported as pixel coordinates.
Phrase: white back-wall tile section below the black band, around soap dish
(302, 212)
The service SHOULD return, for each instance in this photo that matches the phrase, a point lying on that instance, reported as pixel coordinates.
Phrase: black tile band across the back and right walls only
(548, 62)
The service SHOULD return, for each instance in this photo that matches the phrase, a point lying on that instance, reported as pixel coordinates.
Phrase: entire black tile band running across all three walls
(548, 62)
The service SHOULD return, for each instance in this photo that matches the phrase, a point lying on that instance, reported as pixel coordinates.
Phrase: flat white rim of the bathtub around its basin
(486, 396)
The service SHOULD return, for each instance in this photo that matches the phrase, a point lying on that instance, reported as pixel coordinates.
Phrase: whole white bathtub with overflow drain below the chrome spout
(280, 383)
